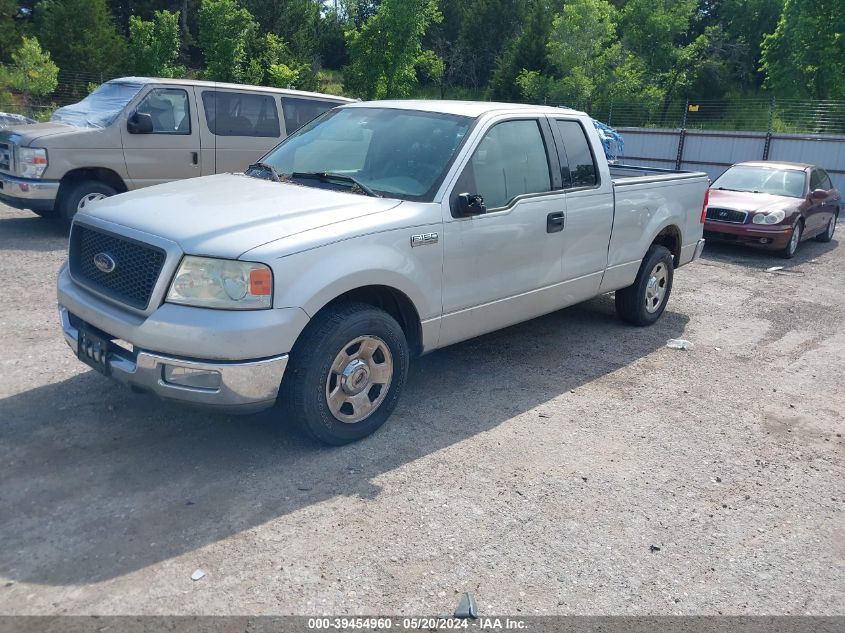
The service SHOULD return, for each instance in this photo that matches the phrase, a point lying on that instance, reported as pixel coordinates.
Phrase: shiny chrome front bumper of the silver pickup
(244, 387)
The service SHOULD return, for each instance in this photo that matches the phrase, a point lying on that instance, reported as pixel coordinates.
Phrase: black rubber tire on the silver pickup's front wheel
(304, 395)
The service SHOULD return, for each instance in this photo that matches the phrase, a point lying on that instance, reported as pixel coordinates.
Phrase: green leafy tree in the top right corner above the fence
(805, 56)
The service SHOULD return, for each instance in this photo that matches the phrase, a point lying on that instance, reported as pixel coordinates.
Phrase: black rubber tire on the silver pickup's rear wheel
(633, 304)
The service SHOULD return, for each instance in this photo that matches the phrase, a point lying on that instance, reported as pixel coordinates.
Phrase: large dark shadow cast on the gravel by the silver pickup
(98, 482)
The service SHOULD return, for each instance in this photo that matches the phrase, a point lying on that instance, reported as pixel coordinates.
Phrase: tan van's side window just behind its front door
(240, 114)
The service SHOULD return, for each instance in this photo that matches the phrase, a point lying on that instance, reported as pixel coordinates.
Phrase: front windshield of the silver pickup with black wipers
(392, 152)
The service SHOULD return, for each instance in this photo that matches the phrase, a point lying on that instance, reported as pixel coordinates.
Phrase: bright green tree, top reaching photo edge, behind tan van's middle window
(225, 32)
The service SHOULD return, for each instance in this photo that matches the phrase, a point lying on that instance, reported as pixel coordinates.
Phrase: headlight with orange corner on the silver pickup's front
(225, 284)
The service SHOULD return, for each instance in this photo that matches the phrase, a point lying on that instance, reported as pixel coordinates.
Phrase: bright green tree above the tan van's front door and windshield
(154, 45)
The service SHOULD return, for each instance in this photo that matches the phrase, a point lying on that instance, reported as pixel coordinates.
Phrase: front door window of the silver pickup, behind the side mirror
(510, 161)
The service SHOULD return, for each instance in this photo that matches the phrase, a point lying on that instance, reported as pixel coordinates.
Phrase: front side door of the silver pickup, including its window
(505, 265)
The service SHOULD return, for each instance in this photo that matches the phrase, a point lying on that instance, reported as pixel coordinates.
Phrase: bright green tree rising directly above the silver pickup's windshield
(384, 50)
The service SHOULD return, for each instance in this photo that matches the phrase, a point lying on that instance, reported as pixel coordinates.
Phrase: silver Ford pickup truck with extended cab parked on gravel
(378, 232)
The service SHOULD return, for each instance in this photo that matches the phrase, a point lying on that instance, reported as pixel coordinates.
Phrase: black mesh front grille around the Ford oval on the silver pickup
(136, 265)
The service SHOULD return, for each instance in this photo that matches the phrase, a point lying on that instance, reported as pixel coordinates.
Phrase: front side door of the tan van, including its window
(172, 150)
